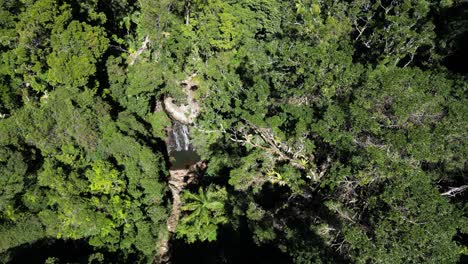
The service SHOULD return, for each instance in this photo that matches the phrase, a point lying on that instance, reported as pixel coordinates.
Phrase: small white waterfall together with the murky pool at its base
(181, 152)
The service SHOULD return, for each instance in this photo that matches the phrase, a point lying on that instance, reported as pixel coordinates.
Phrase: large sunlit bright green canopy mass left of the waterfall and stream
(95, 183)
